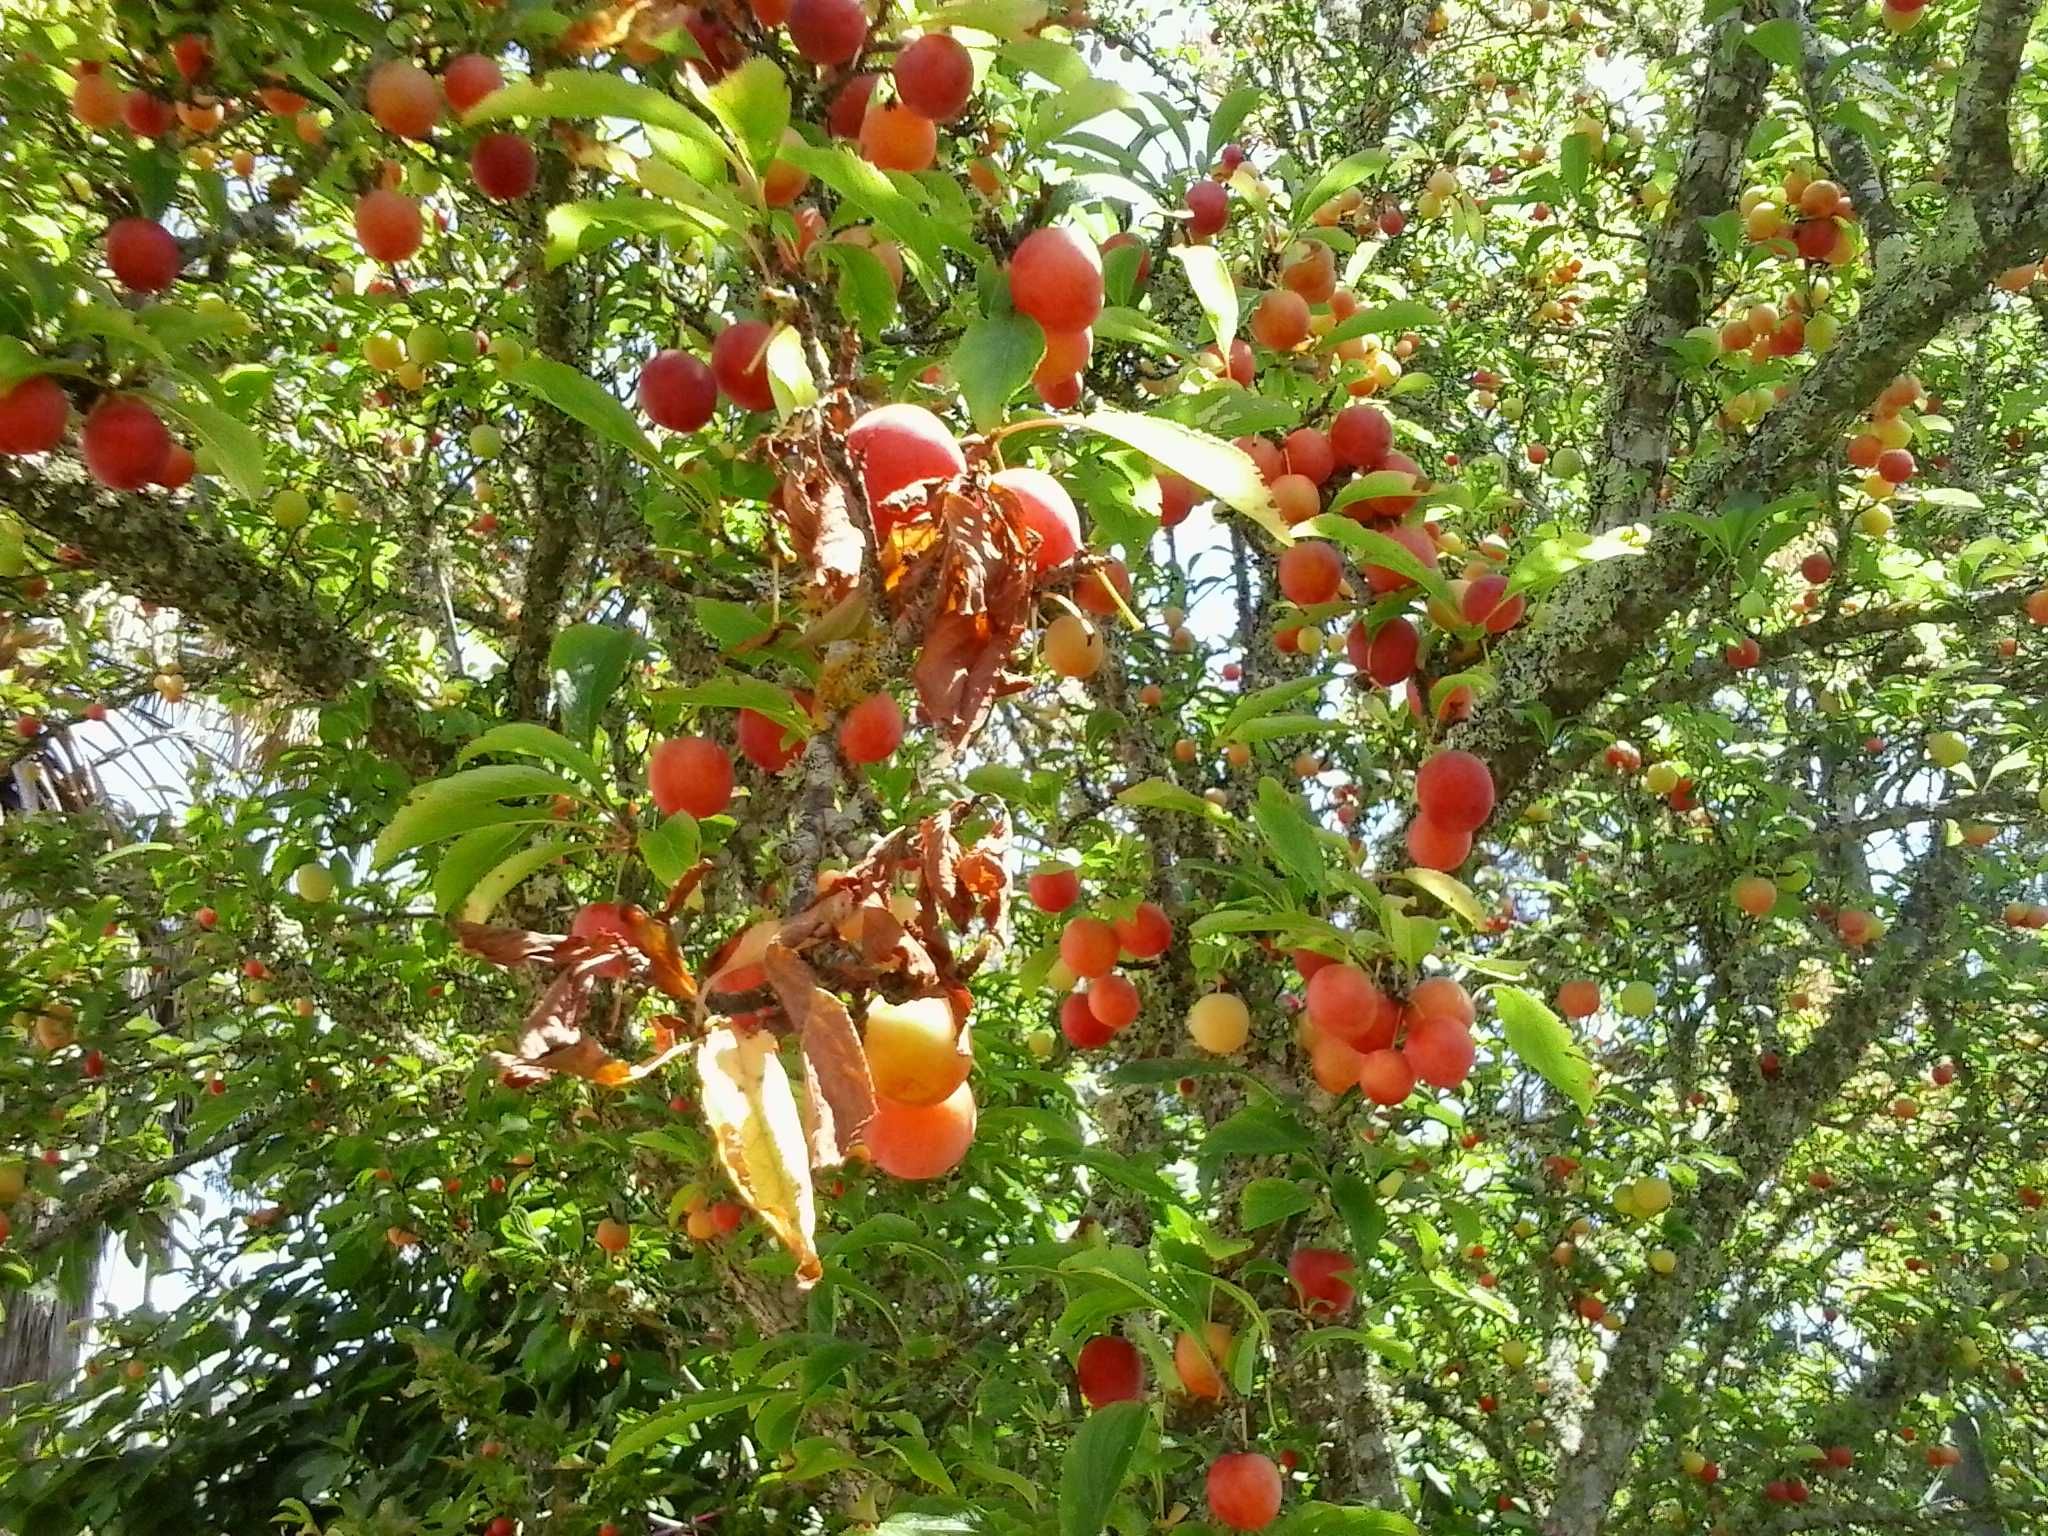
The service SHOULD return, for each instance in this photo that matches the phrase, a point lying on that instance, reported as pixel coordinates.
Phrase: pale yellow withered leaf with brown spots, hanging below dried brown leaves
(759, 1138)
